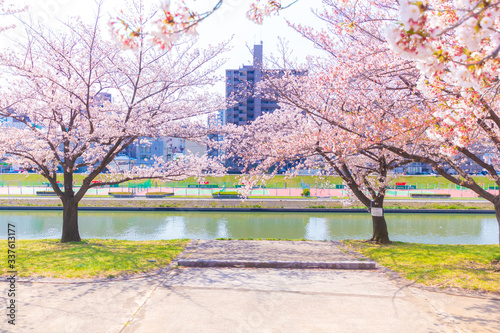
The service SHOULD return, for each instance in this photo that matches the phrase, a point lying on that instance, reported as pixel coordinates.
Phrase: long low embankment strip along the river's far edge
(476, 206)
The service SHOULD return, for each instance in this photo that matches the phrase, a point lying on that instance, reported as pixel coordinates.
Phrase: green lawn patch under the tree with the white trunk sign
(467, 267)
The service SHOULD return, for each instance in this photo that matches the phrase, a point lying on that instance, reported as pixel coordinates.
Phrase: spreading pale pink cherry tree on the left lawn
(56, 86)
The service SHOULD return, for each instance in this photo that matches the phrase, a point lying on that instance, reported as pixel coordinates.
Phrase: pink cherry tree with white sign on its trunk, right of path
(335, 118)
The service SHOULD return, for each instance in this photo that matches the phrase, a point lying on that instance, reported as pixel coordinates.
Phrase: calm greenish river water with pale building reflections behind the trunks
(419, 228)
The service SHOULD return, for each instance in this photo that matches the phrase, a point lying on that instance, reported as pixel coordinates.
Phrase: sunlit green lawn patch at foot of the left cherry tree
(91, 258)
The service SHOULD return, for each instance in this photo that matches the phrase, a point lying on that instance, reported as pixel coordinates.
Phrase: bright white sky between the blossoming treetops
(228, 22)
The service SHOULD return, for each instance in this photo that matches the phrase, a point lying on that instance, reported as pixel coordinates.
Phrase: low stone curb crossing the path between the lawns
(278, 264)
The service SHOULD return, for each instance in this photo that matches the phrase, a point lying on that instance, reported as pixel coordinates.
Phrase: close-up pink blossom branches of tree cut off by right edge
(455, 46)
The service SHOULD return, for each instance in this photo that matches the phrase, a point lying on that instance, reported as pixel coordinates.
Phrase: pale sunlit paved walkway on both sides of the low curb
(249, 299)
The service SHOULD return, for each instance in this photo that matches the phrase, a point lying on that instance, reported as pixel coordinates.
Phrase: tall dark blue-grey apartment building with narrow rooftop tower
(240, 83)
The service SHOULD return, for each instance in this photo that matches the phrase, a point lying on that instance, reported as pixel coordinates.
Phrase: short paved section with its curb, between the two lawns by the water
(272, 254)
